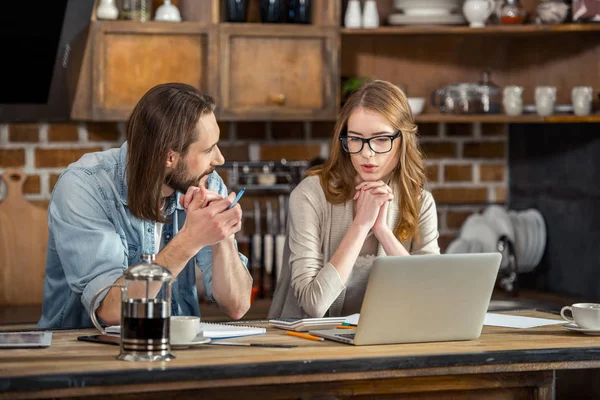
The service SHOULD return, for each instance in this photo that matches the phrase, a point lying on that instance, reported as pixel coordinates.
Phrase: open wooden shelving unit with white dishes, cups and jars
(489, 61)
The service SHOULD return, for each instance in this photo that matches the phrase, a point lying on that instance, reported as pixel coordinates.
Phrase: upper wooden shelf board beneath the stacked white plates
(465, 30)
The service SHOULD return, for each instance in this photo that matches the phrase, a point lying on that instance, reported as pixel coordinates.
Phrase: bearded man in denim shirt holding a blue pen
(157, 194)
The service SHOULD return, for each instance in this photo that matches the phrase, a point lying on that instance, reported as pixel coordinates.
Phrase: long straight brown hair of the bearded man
(164, 119)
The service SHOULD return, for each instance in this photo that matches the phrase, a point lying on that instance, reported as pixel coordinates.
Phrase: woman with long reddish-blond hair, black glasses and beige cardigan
(367, 200)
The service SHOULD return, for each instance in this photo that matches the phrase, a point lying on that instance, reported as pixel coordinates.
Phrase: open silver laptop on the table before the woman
(426, 298)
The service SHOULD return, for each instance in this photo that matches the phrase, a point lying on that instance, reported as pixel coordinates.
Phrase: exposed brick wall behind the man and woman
(466, 163)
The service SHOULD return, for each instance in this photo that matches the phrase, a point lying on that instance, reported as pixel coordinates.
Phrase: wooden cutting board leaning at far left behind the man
(23, 243)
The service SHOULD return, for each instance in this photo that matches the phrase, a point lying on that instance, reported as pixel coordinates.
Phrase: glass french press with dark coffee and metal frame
(145, 312)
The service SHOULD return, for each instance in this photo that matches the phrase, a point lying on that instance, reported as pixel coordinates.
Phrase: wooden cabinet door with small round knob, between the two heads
(279, 72)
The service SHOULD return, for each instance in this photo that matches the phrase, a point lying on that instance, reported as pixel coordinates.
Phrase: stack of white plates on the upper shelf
(427, 12)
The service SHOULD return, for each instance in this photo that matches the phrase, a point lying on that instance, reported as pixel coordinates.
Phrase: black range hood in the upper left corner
(41, 48)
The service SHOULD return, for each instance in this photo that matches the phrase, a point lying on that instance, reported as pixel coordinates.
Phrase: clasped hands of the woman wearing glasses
(371, 206)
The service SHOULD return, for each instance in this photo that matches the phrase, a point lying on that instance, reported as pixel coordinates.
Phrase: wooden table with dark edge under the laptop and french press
(502, 363)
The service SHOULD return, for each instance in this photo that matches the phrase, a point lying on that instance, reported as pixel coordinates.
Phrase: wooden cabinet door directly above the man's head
(130, 58)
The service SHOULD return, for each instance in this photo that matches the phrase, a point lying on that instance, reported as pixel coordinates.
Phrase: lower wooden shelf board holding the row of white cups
(505, 119)
